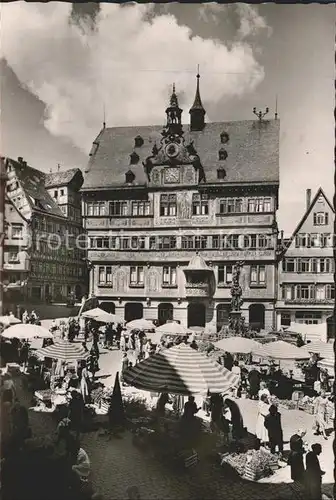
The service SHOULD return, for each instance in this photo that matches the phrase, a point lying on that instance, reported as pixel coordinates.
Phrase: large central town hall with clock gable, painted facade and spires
(169, 211)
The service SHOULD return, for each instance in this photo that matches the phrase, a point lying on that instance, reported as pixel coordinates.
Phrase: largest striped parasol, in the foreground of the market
(180, 370)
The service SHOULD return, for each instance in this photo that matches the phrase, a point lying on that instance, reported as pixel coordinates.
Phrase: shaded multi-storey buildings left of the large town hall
(41, 254)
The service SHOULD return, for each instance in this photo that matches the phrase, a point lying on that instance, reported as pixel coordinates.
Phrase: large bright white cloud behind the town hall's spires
(127, 63)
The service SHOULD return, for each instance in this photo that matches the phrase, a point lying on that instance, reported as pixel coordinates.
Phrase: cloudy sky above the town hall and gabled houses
(62, 66)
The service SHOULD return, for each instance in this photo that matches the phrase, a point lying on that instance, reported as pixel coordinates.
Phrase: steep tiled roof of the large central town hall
(253, 152)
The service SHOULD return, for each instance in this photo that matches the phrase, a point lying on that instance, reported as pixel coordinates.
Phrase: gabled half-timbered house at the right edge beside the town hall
(306, 267)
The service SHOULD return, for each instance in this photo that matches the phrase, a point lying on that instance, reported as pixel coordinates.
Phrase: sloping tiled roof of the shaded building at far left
(32, 182)
